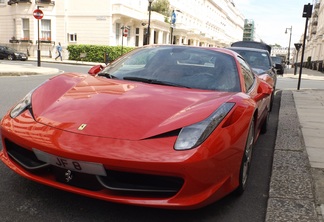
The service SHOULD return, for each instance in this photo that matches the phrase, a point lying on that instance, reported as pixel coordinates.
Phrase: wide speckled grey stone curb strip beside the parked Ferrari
(291, 193)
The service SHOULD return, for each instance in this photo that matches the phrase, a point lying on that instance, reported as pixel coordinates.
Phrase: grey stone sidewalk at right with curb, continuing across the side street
(297, 182)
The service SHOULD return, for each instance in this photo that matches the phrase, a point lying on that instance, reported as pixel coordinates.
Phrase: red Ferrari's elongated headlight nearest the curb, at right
(193, 135)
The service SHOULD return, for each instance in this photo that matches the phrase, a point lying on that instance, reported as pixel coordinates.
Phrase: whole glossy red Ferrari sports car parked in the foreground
(162, 126)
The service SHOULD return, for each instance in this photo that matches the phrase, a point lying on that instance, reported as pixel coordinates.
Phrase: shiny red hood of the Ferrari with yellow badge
(120, 109)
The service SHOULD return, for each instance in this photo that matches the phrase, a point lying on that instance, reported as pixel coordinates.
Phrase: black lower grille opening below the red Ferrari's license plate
(118, 182)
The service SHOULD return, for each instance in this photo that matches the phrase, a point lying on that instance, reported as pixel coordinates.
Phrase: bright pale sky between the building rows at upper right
(272, 17)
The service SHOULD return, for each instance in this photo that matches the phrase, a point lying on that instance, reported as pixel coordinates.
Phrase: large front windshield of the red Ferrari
(189, 67)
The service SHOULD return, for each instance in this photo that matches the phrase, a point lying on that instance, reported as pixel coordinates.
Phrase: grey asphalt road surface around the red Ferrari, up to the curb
(24, 200)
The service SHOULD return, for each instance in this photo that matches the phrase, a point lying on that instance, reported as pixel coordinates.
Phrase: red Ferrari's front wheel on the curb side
(246, 160)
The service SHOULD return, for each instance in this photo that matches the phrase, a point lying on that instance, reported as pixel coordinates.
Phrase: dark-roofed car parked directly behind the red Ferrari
(257, 54)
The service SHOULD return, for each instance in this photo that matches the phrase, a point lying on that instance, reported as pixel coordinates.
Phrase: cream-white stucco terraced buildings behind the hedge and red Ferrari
(211, 23)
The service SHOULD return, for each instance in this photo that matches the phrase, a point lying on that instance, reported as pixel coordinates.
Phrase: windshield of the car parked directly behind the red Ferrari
(256, 59)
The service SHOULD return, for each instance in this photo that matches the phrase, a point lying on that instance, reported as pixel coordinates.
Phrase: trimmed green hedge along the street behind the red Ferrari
(96, 53)
